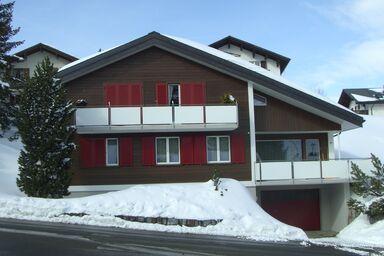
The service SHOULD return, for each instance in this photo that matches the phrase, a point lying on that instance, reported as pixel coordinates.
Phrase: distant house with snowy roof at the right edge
(365, 101)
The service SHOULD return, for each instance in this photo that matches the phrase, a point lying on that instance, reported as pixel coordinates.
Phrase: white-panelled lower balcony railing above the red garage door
(308, 172)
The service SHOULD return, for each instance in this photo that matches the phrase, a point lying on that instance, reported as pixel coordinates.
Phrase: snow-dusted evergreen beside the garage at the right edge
(370, 187)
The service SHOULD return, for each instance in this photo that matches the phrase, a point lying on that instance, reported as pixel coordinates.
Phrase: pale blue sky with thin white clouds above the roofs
(332, 44)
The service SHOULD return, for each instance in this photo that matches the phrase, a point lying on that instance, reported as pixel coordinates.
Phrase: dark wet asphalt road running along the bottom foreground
(41, 238)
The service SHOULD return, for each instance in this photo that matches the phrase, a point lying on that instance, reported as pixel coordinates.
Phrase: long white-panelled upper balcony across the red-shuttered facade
(94, 120)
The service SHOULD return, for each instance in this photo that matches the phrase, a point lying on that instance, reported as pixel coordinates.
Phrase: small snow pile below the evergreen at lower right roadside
(361, 231)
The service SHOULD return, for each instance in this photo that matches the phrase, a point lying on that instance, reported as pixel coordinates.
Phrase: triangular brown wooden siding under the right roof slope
(279, 116)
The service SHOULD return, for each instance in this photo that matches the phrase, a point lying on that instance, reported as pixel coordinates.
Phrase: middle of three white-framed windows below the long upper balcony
(168, 150)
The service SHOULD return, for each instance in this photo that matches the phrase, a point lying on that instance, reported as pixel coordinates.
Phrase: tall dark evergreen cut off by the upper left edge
(6, 32)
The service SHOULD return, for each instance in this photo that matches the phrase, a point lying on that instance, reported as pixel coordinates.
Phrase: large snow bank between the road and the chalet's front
(240, 214)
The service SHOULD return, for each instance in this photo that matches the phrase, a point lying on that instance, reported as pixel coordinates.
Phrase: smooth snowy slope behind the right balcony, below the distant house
(361, 142)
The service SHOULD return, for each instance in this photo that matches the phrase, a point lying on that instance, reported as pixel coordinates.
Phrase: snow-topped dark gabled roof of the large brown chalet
(220, 61)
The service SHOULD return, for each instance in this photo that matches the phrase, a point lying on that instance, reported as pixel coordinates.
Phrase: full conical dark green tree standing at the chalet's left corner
(43, 124)
